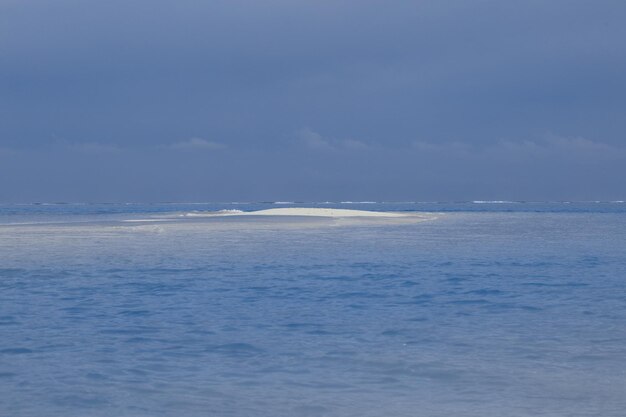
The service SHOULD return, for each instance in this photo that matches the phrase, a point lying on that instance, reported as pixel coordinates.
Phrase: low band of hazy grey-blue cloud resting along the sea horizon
(548, 169)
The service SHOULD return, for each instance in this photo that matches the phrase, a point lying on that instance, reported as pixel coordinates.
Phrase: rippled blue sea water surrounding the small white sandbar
(488, 309)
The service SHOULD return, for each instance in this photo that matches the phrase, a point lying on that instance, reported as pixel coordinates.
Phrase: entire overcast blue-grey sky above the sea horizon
(276, 100)
